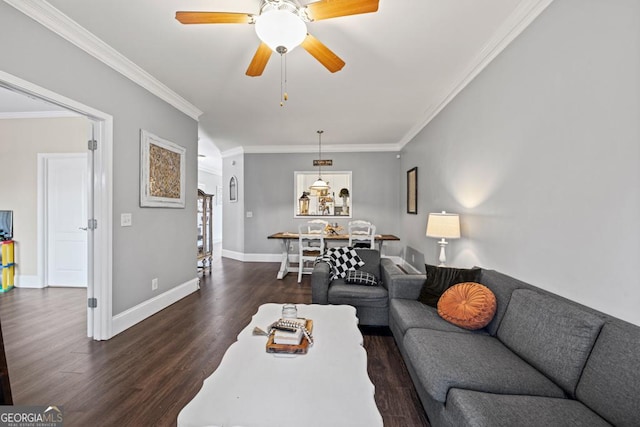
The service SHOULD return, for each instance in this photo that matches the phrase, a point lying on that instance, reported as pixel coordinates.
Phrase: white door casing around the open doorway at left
(100, 258)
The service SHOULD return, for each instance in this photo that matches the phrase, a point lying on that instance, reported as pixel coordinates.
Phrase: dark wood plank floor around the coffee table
(147, 374)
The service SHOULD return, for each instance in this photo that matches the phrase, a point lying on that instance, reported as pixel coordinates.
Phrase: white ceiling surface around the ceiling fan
(403, 64)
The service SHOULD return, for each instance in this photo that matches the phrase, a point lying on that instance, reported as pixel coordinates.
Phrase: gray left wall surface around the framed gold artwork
(162, 242)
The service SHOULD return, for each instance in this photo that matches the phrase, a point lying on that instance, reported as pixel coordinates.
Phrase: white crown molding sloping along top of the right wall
(520, 19)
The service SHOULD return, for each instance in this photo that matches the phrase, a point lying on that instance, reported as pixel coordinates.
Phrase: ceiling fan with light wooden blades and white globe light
(281, 26)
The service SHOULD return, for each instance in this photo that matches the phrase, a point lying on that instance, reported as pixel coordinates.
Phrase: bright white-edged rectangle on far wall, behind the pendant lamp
(334, 202)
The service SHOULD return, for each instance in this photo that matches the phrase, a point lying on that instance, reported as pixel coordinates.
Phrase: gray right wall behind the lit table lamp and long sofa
(540, 155)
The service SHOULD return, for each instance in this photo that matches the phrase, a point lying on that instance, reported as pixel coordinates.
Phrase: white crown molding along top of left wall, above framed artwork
(51, 18)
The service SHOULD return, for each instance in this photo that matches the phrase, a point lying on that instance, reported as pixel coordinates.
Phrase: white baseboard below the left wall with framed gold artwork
(137, 314)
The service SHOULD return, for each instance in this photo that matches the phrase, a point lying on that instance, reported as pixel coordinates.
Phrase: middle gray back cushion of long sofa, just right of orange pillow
(551, 334)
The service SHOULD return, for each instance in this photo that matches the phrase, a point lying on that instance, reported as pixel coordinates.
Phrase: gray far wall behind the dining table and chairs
(270, 196)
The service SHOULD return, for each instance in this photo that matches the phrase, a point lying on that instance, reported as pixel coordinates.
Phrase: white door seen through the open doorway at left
(66, 220)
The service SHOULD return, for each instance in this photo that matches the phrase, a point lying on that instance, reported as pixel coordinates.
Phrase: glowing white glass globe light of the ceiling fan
(280, 28)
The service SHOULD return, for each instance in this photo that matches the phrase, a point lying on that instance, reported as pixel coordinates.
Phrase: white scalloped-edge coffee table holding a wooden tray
(328, 386)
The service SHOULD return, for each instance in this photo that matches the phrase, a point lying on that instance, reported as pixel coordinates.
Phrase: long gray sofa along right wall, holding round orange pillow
(542, 361)
